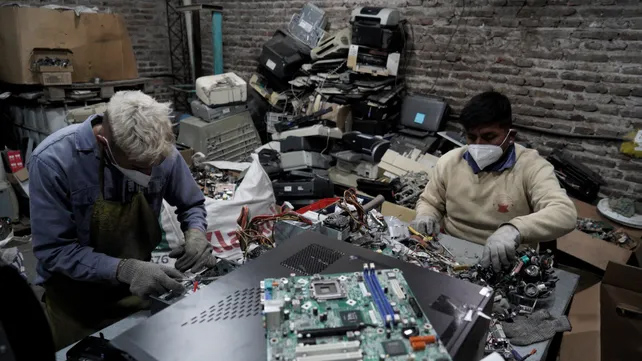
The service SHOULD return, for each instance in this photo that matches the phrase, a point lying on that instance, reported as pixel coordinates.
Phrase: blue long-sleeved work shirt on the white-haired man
(63, 186)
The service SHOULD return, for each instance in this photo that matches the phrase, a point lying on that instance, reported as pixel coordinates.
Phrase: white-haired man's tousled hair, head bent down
(140, 126)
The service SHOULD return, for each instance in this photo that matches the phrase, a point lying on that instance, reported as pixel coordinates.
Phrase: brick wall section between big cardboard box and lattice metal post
(147, 25)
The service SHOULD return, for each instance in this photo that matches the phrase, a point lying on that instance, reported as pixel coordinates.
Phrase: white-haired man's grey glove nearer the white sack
(196, 253)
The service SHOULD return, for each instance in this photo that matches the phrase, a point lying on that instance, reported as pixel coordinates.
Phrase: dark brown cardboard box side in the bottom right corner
(621, 313)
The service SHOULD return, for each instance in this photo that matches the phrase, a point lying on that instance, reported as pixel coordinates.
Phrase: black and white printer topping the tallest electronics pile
(378, 28)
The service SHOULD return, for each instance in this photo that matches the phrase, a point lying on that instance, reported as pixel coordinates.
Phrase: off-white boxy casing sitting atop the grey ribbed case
(221, 89)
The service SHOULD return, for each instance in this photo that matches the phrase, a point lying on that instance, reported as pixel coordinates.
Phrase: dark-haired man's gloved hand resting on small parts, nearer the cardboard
(500, 247)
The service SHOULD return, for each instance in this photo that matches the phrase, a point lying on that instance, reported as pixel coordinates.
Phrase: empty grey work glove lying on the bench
(539, 326)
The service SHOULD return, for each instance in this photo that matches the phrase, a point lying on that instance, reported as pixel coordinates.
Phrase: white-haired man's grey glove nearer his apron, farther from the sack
(146, 278)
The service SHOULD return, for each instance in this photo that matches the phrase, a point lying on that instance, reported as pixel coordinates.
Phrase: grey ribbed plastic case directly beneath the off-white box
(233, 138)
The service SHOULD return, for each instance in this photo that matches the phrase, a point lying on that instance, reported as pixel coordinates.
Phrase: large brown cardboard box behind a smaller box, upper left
(99, 43)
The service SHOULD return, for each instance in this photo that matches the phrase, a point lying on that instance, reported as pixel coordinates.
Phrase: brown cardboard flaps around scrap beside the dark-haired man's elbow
(596, 251)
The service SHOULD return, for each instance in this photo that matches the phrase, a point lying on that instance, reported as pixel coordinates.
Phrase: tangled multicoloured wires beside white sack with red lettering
(254, 230)
